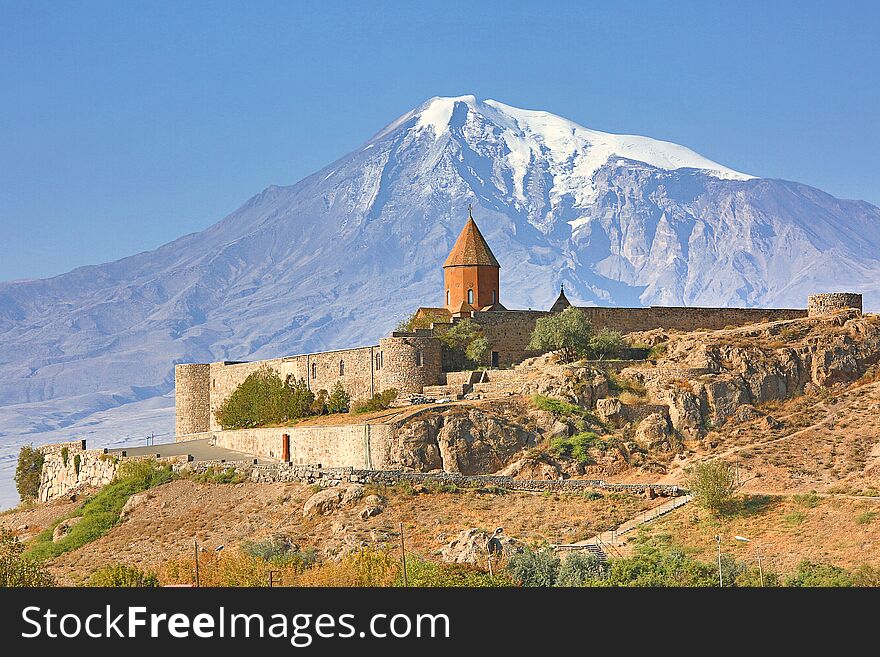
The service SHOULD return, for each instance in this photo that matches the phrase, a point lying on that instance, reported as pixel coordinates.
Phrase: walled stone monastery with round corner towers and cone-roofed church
(412, 362)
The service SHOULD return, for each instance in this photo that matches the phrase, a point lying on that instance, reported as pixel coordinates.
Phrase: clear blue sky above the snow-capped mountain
(124, 125)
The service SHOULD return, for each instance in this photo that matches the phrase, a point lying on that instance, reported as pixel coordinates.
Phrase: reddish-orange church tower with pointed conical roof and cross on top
(470, 273)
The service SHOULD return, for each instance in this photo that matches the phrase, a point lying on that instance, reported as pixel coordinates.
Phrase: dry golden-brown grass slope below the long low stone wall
(165, 525)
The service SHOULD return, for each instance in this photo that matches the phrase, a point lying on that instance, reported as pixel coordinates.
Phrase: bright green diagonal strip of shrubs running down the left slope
(101, 512)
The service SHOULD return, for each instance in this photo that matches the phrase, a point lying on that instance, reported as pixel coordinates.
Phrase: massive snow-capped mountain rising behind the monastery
(338, 258)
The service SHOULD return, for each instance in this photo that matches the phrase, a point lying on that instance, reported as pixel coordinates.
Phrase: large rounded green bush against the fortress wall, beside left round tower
(263, 398)
